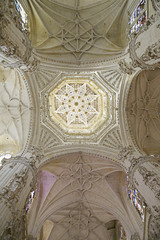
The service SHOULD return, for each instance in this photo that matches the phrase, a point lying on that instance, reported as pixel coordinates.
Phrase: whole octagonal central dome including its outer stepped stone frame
(77, 107)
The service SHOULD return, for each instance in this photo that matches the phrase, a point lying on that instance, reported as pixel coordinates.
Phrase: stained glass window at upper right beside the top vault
(138, 17)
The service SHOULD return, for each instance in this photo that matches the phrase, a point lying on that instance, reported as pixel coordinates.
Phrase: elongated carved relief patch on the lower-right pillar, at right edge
(151, 180)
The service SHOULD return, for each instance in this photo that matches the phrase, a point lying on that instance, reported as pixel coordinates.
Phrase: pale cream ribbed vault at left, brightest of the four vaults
(14, 111)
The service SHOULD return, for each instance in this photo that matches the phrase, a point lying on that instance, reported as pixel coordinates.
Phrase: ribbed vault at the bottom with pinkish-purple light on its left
(80, 195)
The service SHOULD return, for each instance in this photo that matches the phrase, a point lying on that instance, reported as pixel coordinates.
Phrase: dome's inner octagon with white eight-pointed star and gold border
(78, 106)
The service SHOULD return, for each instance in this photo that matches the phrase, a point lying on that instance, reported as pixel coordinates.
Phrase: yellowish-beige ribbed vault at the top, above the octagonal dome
(77, 31)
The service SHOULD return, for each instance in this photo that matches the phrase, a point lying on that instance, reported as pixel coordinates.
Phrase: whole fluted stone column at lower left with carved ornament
(18, 178)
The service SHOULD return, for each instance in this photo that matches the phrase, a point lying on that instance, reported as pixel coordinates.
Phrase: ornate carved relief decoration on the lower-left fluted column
(16, 228)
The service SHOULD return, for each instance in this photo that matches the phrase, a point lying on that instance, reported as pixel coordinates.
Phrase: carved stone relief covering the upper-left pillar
(22, 56)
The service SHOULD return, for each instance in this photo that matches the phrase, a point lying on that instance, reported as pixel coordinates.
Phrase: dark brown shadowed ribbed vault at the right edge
(143, 111)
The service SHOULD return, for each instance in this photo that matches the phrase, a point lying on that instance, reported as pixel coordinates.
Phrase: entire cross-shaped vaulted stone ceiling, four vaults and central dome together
(82, 120)
